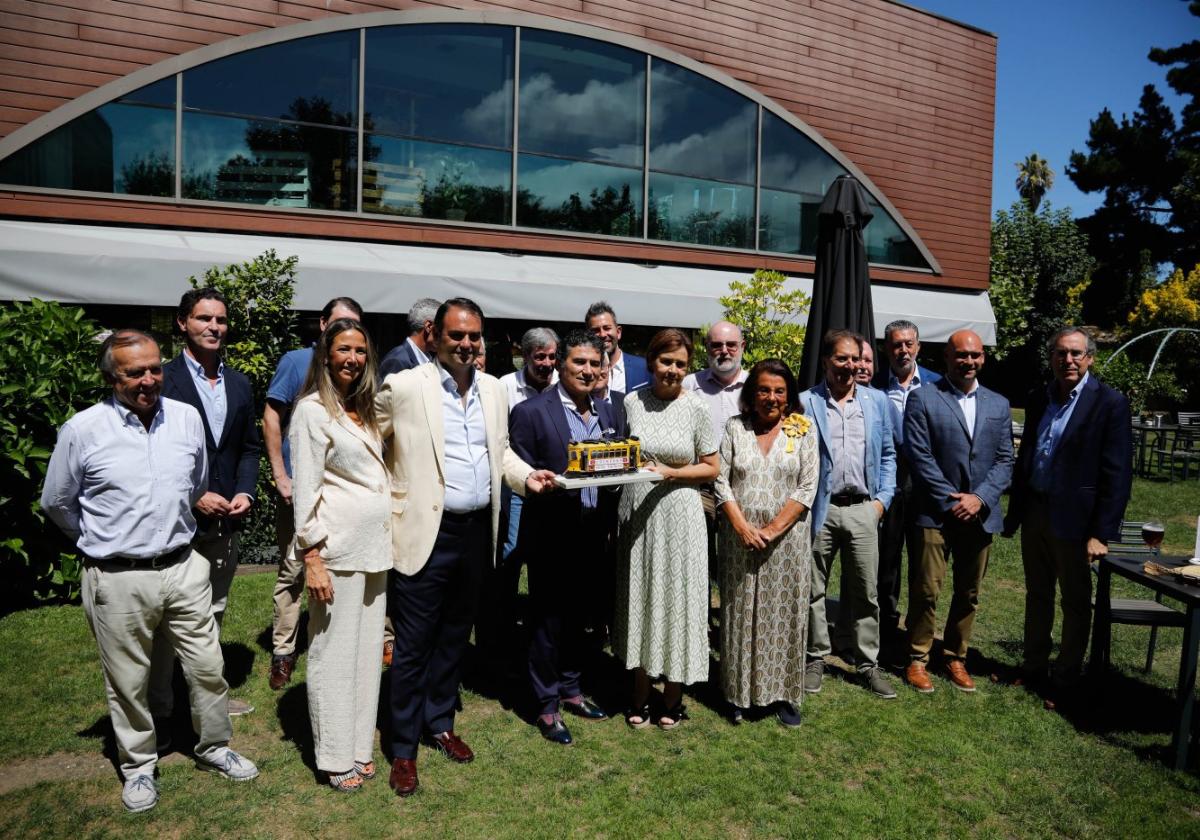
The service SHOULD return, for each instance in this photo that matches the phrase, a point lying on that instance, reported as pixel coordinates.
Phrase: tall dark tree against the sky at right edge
(1149, 169)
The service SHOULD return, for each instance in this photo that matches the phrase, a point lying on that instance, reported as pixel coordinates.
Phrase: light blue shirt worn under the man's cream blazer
(469, 472)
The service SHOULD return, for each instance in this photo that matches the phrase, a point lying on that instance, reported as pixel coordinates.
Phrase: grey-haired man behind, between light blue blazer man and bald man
(898, 379)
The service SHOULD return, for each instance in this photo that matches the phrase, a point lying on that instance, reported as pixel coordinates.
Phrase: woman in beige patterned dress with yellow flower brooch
(767, 481)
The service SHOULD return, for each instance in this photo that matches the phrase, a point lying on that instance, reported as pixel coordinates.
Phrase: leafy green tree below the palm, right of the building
(1040, 268)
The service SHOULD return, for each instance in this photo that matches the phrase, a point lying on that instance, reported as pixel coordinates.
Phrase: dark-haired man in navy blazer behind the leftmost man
(226, 404)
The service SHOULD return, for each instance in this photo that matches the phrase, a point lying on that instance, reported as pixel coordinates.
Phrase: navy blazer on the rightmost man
(1091, 475)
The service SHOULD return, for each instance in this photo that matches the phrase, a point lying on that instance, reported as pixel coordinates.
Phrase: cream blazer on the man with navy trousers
(411, 421)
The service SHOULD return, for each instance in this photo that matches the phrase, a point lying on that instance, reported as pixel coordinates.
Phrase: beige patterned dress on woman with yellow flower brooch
(765, 595)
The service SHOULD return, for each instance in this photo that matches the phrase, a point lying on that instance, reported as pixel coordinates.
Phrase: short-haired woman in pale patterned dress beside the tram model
(661, 625)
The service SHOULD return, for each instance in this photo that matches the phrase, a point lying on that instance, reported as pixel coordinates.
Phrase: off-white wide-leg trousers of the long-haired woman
(344, 669)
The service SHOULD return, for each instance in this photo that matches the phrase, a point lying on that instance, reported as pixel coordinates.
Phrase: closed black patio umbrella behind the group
(842, 286)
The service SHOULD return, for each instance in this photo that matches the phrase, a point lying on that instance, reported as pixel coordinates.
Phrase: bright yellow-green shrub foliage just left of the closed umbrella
(772, 320)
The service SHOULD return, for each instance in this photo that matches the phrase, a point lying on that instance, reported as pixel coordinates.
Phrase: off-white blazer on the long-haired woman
(340, 490)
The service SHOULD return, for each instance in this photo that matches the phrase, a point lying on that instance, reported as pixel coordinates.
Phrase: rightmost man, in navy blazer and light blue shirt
(1073, 479)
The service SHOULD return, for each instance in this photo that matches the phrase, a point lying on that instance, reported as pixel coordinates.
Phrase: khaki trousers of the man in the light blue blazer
(854, 533)
